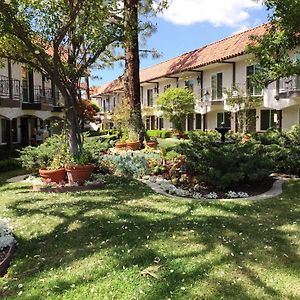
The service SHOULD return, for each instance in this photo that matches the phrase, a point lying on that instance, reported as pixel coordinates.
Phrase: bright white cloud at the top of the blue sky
(232, 13)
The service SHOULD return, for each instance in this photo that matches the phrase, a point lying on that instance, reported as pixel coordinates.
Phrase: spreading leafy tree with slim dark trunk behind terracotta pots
(61, 39)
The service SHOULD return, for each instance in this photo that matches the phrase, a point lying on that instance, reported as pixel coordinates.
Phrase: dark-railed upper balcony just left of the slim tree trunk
(40, 98)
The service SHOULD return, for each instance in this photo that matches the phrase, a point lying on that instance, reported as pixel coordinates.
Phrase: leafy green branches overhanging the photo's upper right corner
(282, 37)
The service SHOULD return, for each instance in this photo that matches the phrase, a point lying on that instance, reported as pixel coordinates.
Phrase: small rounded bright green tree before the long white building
(175, 104)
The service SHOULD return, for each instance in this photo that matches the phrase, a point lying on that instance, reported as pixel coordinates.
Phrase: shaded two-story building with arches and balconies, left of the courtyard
(29, 104)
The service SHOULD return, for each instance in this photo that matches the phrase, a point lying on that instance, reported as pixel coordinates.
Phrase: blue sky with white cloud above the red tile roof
(190, 24)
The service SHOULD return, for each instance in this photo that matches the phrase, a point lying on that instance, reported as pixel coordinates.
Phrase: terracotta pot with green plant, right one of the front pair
(80, 169)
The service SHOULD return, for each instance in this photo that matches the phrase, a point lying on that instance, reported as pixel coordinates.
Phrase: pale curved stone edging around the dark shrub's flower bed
(274, 191)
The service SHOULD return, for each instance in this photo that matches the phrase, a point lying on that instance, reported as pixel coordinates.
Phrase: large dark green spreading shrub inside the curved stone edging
(228, 165)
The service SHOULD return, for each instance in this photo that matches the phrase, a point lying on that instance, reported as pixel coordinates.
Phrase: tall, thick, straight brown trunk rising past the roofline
(132, 68)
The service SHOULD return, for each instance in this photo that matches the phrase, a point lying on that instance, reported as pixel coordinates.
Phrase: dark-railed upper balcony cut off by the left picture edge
(9, 92)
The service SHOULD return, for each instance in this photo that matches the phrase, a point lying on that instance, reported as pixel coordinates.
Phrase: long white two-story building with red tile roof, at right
(209, 72)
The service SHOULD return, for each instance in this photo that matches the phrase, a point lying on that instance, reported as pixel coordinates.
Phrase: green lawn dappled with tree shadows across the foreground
(94, 245)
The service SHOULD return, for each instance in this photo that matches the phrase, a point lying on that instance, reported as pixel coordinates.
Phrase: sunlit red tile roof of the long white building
(219, 51)
